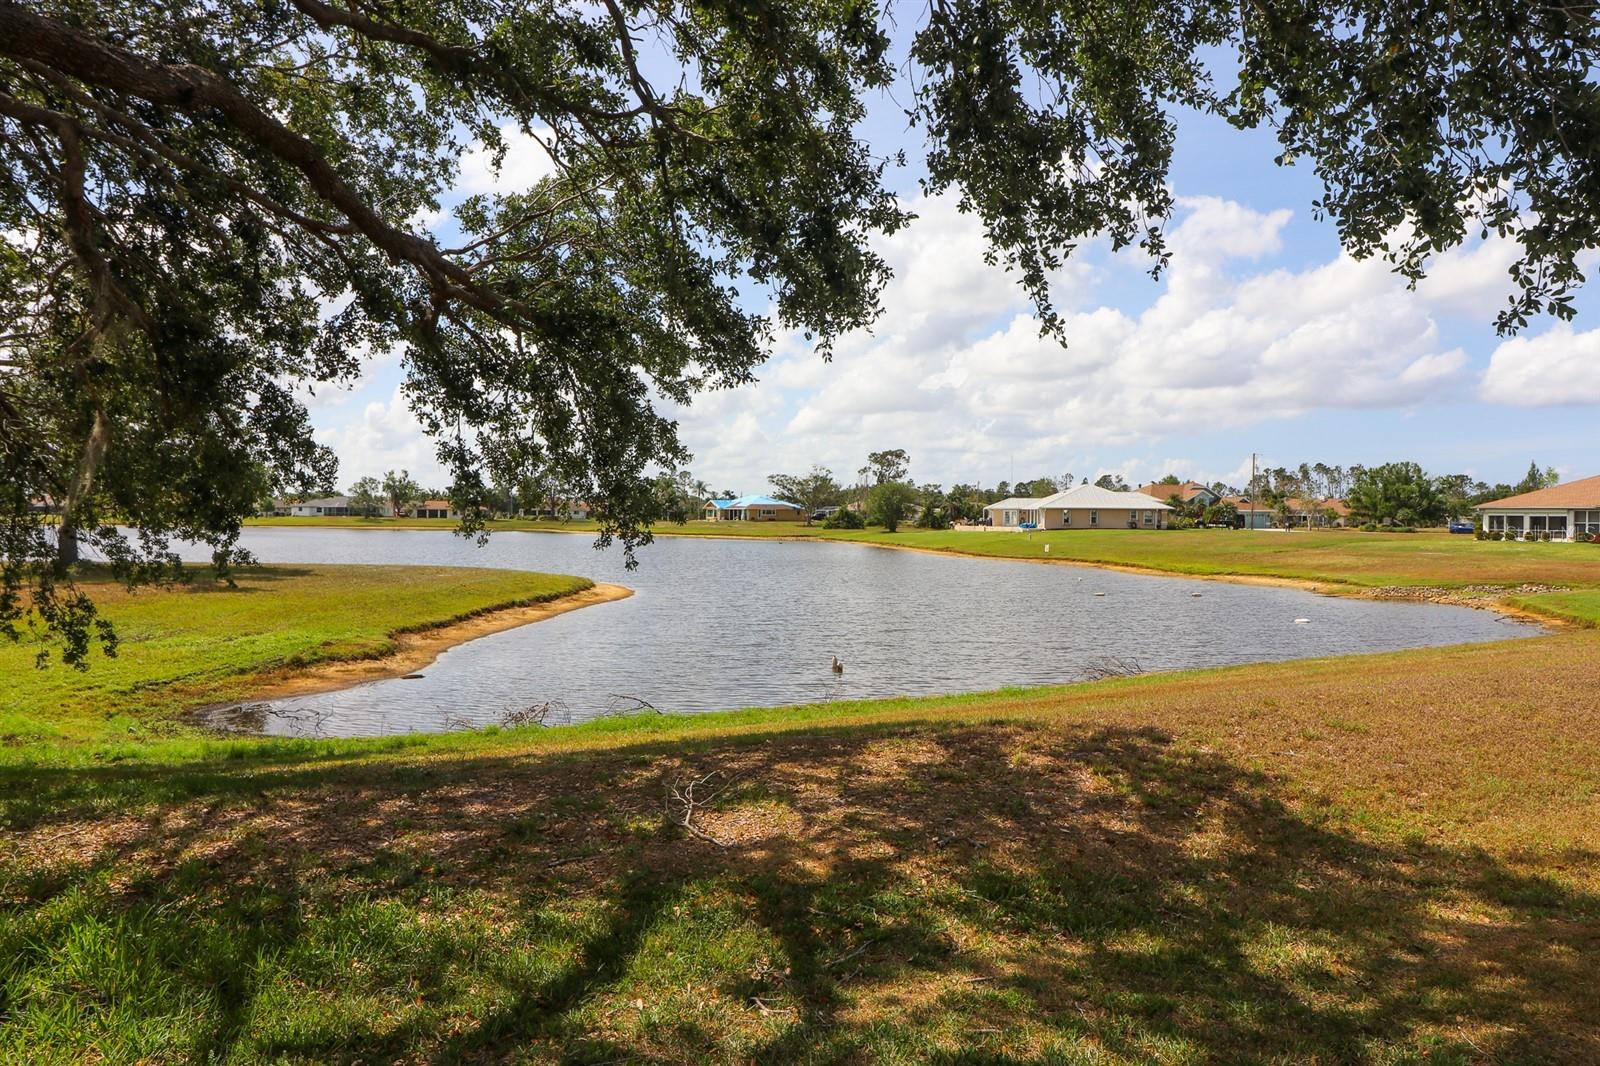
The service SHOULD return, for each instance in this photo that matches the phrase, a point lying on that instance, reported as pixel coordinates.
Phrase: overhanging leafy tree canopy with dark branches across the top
(209, 210)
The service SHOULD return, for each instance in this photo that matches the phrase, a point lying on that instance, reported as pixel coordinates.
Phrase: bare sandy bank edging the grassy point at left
(414, 652)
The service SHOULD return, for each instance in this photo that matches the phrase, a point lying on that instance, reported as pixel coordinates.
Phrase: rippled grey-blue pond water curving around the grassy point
(734, 623)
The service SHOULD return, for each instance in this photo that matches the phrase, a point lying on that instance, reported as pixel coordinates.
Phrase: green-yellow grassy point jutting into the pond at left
(204, 641)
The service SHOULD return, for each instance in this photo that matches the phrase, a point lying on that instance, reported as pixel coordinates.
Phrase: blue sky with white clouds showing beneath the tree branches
(1262, 337)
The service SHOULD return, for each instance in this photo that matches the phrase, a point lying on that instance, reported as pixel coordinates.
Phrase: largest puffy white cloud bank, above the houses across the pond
(959, 374)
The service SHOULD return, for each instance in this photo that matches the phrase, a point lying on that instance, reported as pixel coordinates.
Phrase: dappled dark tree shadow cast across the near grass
(977, 894)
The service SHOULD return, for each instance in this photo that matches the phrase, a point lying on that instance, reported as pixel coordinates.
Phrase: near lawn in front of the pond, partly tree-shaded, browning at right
(1391, 859)
